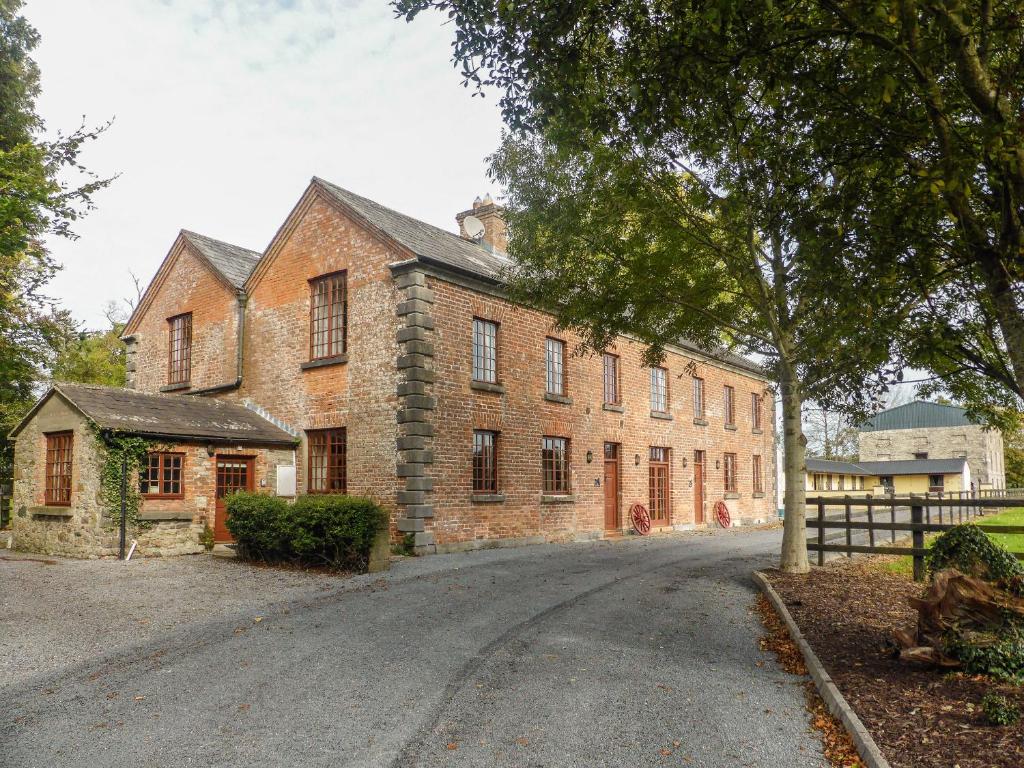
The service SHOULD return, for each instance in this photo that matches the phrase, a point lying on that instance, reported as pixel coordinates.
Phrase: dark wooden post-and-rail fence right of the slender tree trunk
(917, 516)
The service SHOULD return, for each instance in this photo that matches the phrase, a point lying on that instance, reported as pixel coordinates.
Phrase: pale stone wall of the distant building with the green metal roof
(983, 448)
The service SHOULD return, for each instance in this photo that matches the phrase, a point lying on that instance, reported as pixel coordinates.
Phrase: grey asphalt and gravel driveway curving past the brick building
(641, 653)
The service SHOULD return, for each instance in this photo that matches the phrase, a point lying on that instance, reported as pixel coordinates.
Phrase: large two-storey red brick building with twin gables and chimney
(390, 350)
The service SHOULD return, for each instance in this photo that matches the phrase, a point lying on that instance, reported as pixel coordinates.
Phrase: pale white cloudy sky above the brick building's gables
(225, 110)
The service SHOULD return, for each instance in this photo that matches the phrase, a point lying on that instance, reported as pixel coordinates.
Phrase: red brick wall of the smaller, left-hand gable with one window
(189, 287)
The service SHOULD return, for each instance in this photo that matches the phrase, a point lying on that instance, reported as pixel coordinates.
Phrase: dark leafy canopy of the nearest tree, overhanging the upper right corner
(911, 112)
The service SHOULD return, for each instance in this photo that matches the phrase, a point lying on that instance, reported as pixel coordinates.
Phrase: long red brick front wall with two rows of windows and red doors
(524, 416)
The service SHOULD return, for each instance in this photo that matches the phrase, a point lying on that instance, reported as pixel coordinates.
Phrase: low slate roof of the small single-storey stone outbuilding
(172, 416)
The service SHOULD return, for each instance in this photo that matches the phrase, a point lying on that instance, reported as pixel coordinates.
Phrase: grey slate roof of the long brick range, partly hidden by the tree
(434, 245)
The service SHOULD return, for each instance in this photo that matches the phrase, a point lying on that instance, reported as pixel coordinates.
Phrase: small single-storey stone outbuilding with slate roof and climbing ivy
(201, 451)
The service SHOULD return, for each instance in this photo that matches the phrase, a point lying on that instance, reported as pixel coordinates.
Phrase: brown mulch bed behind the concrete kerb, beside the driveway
(920, 717)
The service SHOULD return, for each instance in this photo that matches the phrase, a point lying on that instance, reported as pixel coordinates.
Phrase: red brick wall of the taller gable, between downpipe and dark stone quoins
(359, 395)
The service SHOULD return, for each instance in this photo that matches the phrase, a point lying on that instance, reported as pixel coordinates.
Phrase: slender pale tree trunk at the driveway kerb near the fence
(794, 558)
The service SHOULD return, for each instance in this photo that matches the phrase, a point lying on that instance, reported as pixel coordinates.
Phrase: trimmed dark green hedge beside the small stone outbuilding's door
(336, 532)
